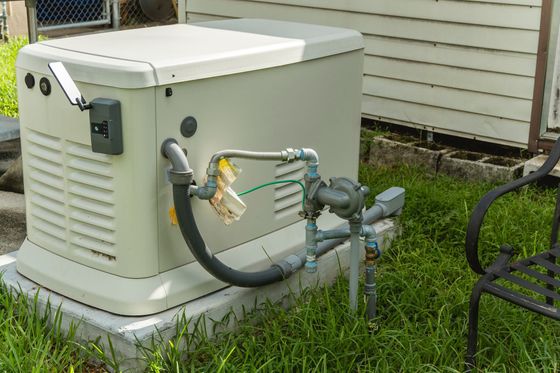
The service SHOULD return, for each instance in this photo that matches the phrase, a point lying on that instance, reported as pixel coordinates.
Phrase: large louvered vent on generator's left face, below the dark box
(72, 200)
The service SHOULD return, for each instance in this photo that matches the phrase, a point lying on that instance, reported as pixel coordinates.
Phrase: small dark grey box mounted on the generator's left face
(106, 126)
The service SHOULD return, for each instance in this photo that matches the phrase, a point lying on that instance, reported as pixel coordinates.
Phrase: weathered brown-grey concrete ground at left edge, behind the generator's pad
(12, 221)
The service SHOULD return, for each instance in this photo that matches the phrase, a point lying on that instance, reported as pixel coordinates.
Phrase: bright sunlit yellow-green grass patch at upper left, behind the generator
(8, 94)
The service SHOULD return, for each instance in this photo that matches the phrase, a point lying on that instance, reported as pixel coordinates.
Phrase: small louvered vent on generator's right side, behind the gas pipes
(287, 197)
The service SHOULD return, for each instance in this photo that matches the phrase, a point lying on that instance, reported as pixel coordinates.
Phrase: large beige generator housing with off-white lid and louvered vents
(100, 226)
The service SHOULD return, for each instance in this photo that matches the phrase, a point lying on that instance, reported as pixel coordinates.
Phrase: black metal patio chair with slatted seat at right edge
(538, 271)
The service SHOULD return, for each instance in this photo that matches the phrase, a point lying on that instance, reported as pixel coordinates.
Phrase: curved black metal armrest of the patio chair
(477, 217)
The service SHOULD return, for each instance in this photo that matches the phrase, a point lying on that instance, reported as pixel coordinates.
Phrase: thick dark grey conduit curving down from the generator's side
(181, 176)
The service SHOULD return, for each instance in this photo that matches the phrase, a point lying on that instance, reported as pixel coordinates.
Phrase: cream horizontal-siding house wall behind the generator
(460, 67)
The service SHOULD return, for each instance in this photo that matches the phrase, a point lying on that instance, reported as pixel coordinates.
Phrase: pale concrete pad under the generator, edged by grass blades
(225, 306)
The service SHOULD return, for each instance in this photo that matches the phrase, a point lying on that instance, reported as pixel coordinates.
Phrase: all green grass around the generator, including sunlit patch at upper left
(424, 285)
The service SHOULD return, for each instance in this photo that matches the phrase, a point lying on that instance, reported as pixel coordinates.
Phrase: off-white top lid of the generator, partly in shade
(177, 53)
